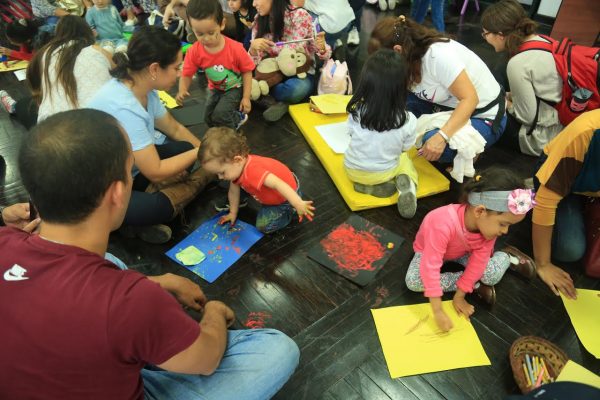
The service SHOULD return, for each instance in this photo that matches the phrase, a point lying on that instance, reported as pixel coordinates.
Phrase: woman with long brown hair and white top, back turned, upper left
(67, 72)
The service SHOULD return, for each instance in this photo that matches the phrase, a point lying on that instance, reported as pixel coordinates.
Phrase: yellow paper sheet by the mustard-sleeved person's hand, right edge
(586, 318)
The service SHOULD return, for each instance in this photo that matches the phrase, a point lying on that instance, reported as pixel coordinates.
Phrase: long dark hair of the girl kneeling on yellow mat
(379, 101)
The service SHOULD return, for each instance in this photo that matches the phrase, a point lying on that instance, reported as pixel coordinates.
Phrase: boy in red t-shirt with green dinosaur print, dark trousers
(227, 66)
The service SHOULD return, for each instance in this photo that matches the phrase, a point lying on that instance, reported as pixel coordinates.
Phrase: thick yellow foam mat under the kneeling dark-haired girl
(431, 181)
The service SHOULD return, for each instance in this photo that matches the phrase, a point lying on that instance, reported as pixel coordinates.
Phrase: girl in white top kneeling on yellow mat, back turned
(381, 131)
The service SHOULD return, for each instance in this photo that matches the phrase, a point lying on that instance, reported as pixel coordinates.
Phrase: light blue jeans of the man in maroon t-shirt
(256, 364)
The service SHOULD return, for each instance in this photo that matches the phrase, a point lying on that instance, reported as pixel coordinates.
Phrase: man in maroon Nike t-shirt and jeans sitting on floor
(74, 326)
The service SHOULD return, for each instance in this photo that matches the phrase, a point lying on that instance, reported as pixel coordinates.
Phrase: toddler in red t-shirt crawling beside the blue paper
(270, 182)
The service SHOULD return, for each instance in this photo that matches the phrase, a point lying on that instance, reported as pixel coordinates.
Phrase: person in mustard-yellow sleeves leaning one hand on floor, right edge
(568, 178)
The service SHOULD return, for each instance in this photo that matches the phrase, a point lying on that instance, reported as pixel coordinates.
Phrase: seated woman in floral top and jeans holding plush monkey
(279, 21)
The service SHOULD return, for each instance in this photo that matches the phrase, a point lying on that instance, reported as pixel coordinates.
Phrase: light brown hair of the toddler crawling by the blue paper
(222, 144)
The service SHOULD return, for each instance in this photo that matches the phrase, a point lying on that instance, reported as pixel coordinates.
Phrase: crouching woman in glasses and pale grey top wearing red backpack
(532, 76)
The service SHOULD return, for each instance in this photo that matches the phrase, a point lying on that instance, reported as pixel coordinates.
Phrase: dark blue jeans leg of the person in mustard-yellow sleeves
(568, 236)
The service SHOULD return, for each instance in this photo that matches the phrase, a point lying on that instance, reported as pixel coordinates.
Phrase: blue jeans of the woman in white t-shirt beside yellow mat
(483, 126)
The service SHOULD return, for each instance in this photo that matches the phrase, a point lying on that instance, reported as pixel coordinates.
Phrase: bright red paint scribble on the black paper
(353, 250)
